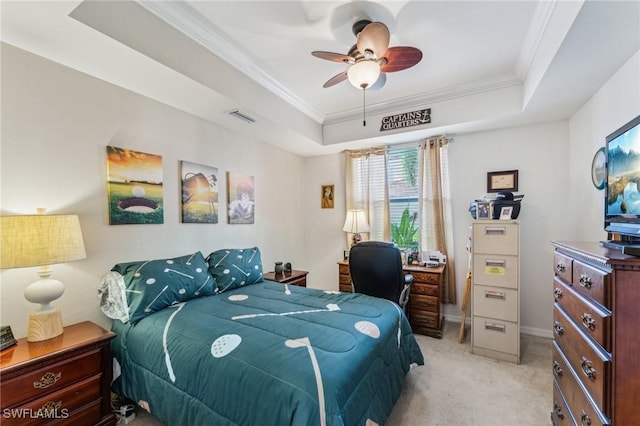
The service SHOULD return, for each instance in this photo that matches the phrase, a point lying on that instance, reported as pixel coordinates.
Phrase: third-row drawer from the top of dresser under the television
(591, 364)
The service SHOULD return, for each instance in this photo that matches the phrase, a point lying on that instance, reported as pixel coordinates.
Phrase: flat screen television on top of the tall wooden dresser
(622, 189)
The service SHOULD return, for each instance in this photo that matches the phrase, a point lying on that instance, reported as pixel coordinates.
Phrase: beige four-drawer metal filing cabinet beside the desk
(495, 296)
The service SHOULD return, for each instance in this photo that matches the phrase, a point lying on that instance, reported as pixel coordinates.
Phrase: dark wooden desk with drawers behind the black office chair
(425, 300)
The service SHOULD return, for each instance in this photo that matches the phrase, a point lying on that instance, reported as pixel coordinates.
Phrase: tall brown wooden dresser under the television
(596, 318)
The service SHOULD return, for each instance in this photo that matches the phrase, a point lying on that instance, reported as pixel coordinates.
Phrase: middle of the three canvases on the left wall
(199, 193)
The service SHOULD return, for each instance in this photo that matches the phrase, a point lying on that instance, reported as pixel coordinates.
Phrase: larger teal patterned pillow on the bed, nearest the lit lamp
(155, 284)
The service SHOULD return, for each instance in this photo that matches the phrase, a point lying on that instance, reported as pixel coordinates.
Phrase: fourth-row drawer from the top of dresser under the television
(577, 402)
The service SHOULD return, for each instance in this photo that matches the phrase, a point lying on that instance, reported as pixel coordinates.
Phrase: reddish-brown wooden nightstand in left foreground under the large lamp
(66, 379)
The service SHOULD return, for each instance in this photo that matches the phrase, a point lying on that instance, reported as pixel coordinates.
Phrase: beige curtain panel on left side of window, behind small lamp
(366, 189)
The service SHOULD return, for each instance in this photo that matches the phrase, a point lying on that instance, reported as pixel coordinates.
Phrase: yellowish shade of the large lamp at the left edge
(36, 240)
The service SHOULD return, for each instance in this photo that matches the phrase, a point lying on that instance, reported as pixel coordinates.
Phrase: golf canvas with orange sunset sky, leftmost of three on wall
(134, 187)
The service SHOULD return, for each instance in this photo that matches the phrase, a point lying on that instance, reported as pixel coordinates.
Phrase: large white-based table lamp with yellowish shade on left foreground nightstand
(41, 240)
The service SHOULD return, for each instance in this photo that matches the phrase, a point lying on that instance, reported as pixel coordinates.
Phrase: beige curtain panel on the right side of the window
(436, 231)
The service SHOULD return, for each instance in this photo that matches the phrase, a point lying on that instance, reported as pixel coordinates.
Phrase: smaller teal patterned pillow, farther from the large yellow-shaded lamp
(233, 268)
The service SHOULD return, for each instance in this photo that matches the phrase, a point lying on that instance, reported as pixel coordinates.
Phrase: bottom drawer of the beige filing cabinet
(496, 335)
